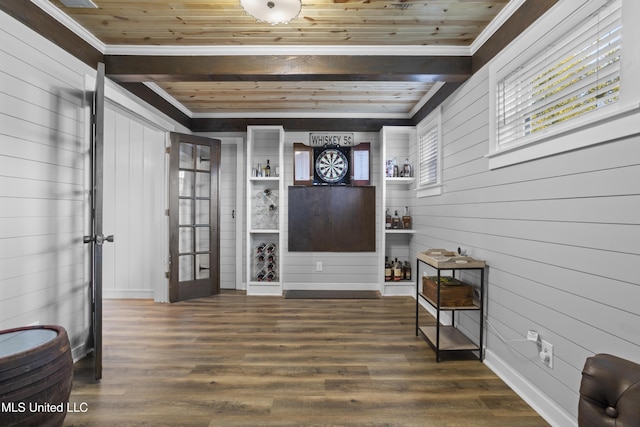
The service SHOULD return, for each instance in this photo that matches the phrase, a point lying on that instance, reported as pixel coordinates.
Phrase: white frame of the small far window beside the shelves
(433, 120)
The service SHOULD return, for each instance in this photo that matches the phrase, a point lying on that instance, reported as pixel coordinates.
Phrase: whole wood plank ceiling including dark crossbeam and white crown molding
(369, 61)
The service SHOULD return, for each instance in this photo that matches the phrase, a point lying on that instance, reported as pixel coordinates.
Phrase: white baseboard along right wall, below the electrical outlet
(540, 402)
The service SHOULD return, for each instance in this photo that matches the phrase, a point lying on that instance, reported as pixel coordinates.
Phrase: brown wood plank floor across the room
(236, 360)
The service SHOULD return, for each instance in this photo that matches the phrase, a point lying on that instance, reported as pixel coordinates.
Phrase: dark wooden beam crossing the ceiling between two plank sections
(133, 68)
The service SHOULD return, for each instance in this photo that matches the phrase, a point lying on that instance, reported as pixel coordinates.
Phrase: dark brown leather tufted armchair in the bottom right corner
(609, 393)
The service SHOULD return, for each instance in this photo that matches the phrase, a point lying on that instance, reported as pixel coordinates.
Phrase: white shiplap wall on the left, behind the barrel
(42, 185)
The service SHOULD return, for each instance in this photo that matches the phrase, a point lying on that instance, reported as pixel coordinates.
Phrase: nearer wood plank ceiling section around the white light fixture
(321, 22)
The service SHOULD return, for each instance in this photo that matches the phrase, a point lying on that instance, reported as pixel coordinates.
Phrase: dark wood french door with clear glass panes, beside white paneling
(194, 244)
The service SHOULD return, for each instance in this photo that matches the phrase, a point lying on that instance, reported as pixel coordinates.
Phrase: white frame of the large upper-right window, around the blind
(610, 123)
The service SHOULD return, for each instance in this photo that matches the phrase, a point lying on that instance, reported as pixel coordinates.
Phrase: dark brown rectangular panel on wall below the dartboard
(332, 219)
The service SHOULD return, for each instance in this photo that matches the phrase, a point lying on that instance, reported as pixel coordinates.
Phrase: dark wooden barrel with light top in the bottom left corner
(36, 375)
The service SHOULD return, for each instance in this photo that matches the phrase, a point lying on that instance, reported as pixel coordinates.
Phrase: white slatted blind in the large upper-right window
(578, 75)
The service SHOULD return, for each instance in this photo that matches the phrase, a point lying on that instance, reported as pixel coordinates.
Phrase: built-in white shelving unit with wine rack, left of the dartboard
(265, 219)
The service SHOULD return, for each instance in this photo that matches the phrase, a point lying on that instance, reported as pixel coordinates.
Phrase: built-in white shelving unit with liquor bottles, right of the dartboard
(398, 192)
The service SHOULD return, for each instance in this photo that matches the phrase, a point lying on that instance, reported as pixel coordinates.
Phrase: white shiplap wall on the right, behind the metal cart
(559, 235)
